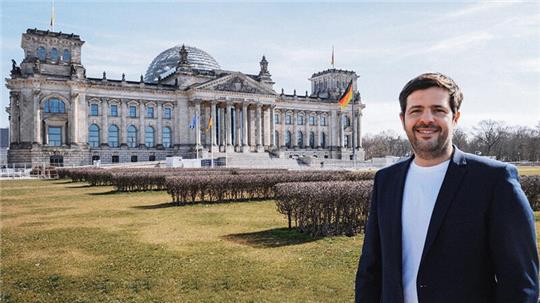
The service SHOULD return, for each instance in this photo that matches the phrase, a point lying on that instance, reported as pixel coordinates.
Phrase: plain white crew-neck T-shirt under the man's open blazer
(422, 186)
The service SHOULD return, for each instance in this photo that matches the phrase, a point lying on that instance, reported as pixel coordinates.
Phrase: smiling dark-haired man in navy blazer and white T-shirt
(446, 226)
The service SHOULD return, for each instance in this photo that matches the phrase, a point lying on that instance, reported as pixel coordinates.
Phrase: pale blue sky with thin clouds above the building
(492, 49)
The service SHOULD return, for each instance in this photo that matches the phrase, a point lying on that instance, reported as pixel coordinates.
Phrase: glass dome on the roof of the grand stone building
(165, 63)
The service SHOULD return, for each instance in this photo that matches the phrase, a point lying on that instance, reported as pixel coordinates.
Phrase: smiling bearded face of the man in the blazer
(429, 122)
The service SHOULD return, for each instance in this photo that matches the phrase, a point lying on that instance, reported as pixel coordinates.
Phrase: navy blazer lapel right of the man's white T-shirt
(450, 186)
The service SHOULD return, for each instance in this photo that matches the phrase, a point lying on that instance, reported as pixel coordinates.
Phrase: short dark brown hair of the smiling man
(428, 80)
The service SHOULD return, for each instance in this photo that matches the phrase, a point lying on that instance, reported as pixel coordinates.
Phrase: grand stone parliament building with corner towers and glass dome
(185, 105)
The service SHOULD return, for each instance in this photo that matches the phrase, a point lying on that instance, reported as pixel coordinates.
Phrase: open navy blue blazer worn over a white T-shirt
(480, 244)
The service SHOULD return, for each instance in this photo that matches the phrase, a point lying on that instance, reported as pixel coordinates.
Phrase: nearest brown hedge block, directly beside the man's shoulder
(325, 208)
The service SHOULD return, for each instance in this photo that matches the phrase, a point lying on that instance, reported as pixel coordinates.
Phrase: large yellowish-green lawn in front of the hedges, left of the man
(67, 242)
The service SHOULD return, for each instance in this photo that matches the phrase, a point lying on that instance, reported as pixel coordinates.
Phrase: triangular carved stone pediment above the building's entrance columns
(238, 83)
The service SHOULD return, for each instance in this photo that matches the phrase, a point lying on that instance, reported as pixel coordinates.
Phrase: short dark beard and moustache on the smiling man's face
(432, 148)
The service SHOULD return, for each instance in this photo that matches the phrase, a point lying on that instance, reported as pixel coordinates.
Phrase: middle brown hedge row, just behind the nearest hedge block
(220, 188)
